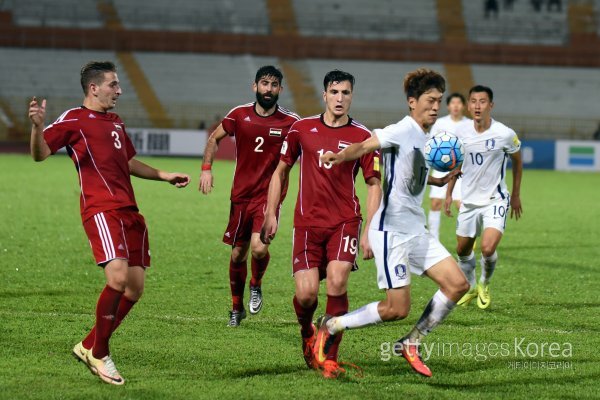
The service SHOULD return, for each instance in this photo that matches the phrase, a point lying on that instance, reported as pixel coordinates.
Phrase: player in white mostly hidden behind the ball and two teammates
(456, 105)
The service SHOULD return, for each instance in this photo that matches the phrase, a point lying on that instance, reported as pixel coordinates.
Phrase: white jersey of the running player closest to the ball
(405, 177)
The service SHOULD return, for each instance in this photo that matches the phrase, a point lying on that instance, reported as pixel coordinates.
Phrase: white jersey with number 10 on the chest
(484, 166)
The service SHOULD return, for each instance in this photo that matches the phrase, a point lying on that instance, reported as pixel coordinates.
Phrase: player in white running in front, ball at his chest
(398, 236)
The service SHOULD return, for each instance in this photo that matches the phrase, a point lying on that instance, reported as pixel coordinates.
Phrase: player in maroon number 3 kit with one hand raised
(103, 155)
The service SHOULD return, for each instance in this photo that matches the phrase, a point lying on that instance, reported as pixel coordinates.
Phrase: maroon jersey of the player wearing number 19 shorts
(326, 196)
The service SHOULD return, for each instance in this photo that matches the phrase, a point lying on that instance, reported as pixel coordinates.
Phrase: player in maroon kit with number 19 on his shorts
(327, 219)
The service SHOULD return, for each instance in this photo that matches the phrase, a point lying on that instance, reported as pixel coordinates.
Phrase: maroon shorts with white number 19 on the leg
(315, 247)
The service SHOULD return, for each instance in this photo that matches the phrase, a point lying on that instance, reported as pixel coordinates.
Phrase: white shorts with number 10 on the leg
(473, 220)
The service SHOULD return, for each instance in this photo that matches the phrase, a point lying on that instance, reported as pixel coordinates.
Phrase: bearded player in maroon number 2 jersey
(259, 129)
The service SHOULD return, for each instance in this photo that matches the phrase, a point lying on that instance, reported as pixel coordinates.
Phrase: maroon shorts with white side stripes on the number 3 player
(121, 234)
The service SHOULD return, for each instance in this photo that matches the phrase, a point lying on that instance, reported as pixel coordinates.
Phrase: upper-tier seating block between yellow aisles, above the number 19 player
(359, 19)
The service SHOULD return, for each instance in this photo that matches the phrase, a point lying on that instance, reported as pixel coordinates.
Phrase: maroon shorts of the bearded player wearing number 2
(244, 220)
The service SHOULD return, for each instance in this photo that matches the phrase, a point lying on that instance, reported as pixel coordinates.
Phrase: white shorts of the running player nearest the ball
(397, 255)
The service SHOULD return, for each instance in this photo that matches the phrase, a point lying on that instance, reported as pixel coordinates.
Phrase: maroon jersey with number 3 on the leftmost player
(100, 148)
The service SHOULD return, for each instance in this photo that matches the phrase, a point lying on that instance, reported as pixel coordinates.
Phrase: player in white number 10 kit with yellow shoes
(485, 198)
